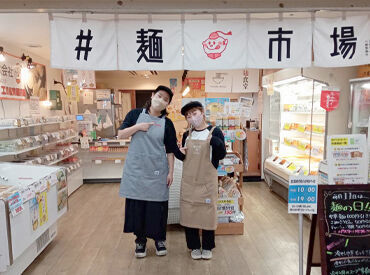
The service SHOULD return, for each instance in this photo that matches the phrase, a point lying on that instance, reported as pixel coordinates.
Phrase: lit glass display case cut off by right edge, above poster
(360, 105)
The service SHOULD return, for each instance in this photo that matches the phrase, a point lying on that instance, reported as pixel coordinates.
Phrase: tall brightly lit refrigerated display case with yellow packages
(297, 127)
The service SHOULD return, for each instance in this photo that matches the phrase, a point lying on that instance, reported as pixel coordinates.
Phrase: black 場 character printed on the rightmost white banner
(347, 41)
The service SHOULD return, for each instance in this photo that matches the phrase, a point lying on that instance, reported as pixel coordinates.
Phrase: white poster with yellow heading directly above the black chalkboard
(347, 159)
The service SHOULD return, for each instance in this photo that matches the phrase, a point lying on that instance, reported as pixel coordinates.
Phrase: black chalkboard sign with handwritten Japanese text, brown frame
(344, 223)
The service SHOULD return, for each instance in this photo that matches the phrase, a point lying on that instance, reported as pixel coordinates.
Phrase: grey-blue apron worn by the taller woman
(146, 166)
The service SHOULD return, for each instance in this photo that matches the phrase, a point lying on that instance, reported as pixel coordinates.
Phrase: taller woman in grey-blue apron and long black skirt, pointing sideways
(148, 171)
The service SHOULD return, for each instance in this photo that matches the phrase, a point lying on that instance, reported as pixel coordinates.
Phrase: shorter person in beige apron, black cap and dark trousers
(203, 147)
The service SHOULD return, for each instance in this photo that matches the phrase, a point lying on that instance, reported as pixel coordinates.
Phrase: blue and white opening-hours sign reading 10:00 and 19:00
(302, 197)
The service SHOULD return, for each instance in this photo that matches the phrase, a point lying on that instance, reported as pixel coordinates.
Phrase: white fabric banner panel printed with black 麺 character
(155, 45)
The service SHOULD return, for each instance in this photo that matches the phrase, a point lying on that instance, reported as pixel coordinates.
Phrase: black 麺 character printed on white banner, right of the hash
(153, 43)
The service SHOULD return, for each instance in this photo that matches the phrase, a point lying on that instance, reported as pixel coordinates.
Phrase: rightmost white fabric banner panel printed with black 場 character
(341, 42)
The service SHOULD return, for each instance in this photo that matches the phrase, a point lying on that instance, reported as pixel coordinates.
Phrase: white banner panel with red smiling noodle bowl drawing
(214, 45)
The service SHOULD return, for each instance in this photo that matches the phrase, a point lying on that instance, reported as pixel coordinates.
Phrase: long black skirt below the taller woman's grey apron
(146, 219)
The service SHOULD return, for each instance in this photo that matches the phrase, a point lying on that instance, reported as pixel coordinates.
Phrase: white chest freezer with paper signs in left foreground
(29, 210)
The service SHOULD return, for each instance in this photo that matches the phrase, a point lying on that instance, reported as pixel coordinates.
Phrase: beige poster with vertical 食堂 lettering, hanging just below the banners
(245, 81)
